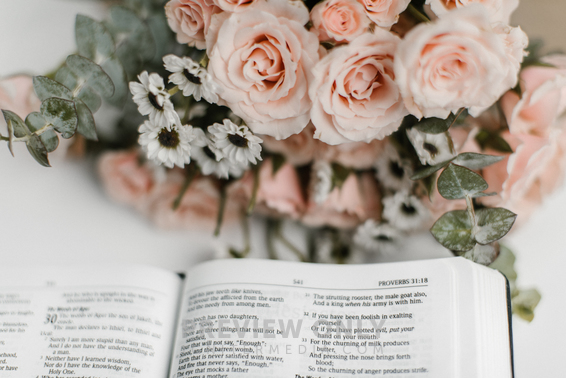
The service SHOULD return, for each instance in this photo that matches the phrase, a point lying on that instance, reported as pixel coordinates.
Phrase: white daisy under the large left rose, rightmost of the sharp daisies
(237, 143)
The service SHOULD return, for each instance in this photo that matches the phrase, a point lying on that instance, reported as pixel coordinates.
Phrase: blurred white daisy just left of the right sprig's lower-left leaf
(404, 211)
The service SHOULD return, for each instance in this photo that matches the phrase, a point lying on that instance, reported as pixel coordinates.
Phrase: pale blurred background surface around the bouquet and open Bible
(61, 216)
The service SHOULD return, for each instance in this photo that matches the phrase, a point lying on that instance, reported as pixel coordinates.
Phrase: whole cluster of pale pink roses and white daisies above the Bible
(325, 88)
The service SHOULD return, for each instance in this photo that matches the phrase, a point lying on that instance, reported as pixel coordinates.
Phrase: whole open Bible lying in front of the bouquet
(256, 318)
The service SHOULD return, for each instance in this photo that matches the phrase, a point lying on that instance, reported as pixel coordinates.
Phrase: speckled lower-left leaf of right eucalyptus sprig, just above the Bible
(454, 231)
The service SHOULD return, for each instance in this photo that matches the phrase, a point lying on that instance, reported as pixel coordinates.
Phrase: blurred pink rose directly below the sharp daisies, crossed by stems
(198, 208)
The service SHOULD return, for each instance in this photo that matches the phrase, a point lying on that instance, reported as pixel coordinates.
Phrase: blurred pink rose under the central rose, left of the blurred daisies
(355, 202)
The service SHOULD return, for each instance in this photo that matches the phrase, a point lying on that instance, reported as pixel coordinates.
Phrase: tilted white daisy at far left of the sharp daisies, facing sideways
(153, 99)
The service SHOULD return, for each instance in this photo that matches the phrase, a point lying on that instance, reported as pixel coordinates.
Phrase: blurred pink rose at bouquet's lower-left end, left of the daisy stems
(124, 179)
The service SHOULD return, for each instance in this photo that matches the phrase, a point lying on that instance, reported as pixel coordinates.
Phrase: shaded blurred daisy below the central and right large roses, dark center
(393, 172)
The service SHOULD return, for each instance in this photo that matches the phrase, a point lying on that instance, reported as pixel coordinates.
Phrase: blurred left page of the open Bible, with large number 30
(87, 322)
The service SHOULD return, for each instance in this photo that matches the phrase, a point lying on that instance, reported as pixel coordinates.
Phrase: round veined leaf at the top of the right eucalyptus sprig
(457, 182)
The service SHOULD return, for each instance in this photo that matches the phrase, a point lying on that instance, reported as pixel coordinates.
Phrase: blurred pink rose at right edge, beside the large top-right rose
(543, 98)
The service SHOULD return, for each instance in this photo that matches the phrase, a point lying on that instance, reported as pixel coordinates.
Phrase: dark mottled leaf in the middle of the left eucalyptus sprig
(61, 114)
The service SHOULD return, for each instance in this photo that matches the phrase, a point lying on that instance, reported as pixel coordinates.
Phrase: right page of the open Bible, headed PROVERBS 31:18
(245, 318)
